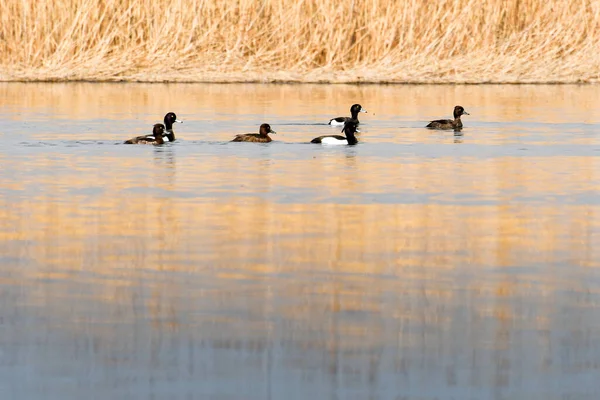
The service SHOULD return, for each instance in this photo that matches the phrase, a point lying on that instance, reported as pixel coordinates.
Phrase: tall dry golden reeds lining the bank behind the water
(301, 40)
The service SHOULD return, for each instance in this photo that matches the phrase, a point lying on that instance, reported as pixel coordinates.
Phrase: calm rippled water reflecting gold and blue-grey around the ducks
(416, 265)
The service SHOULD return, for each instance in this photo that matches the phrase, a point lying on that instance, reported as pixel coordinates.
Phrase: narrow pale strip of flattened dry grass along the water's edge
(363, 75)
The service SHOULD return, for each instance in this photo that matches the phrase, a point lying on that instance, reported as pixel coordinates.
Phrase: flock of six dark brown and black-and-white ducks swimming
(350, 128)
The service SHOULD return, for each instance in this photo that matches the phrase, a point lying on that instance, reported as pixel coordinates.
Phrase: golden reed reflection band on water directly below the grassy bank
(141, 105)
